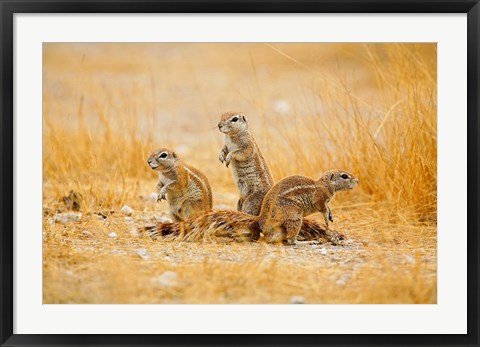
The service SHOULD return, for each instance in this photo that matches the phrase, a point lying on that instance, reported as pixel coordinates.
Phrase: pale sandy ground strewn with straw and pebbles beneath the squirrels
(103, 259)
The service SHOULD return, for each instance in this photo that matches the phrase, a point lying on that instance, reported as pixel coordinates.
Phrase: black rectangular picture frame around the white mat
(9, 7)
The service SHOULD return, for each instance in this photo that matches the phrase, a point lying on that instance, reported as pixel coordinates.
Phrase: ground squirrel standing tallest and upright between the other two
(250, 170)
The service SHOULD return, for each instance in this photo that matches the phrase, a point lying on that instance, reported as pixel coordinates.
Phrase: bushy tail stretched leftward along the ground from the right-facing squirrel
(218, 225)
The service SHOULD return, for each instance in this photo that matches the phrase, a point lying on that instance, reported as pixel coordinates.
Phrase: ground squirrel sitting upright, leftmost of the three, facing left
(185, 188)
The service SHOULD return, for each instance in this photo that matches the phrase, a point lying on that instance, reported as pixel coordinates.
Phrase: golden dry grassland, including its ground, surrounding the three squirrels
(369, 109)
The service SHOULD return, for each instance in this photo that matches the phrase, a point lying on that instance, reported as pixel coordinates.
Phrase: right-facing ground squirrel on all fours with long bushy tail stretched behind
(281, 217)
